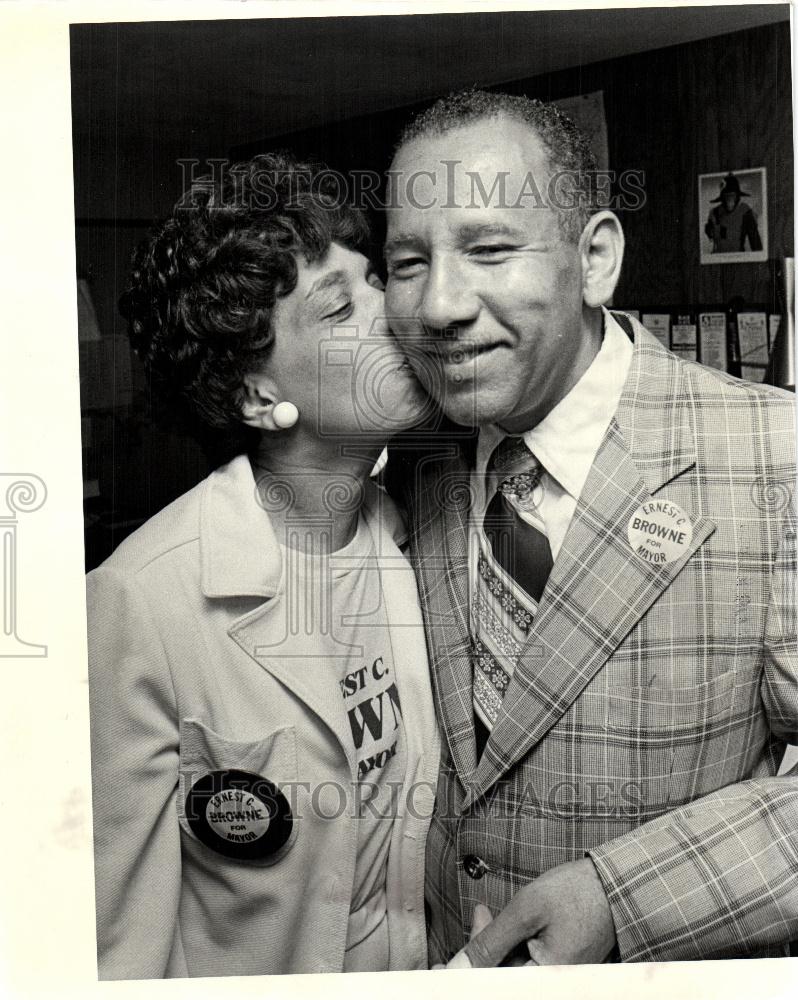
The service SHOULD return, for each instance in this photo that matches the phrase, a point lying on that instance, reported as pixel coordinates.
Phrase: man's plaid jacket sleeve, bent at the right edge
(719, 877)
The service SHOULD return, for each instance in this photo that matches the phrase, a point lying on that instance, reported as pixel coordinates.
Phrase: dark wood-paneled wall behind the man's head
(714, 105)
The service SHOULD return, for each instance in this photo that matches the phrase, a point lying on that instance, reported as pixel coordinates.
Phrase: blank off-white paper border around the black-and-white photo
(47, 934)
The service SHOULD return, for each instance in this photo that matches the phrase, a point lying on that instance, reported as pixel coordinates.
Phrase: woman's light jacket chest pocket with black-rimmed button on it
(272, 759)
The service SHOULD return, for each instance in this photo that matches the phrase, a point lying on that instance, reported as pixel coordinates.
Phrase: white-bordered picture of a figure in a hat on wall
(733, 218)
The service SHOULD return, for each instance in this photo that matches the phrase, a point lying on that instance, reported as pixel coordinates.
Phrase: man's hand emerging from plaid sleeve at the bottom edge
(563, 917)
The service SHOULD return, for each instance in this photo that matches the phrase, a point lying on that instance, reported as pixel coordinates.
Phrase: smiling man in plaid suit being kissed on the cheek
(616, 718)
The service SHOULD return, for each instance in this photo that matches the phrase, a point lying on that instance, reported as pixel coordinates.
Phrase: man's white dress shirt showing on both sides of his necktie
(565, 442)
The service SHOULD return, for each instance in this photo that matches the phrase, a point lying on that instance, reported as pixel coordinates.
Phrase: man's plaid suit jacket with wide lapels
(650, 709)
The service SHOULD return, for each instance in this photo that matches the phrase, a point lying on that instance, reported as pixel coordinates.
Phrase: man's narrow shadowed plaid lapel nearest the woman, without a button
(440, 507)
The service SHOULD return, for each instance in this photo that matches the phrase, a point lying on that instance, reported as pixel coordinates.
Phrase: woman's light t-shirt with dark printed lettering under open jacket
(346, 635)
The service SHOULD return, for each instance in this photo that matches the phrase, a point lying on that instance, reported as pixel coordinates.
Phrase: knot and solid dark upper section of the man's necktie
(521, 549)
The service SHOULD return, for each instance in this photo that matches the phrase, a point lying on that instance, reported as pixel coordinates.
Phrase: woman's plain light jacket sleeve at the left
(134, 749)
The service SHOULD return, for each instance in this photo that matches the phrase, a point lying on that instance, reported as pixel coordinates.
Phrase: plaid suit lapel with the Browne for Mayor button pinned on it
(599, 587)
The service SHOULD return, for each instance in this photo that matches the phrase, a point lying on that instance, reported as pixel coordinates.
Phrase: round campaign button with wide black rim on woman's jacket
(239, 814)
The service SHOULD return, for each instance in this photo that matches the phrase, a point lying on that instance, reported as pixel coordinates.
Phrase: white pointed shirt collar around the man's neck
(566, 441)
